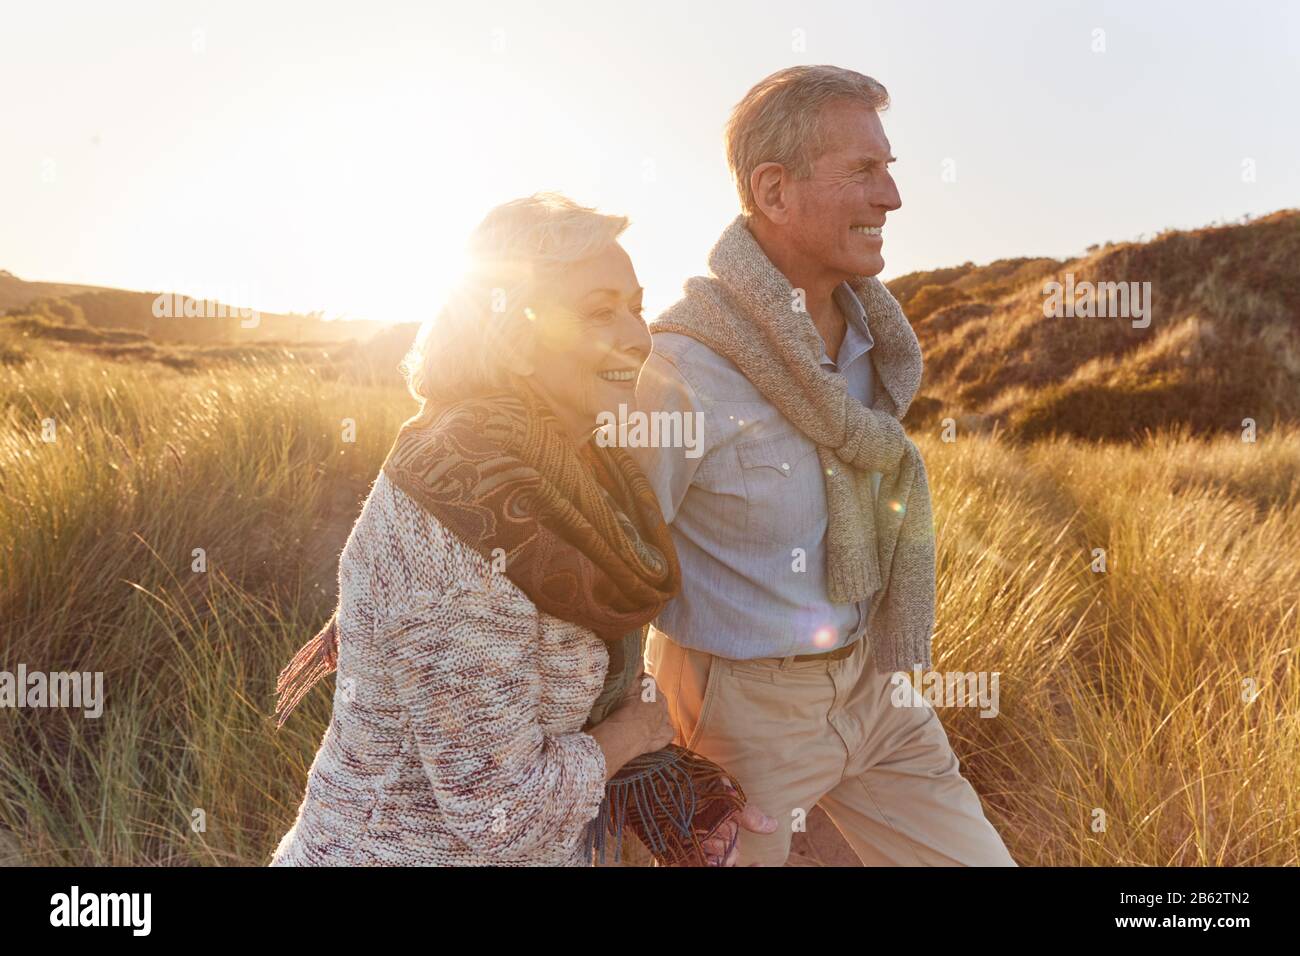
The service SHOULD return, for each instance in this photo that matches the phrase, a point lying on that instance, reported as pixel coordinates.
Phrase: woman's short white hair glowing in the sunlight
(517, 250)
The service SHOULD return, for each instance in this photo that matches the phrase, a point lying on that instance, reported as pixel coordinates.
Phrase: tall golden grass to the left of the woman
(98, 533)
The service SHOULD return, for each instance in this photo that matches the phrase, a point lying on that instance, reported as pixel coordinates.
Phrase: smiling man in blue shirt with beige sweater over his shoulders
(804, 524)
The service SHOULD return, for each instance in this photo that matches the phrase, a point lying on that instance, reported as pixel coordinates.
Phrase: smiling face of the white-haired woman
(590, 340)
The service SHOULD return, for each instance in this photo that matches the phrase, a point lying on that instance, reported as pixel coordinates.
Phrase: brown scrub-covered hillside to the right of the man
(1223, 343)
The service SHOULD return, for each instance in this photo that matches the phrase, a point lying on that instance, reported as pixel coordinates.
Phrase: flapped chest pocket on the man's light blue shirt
(783, 485)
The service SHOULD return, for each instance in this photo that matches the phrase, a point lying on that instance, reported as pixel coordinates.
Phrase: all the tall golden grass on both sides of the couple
(1120, 691)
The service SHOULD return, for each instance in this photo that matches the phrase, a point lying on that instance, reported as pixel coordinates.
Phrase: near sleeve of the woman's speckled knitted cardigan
(466, 669)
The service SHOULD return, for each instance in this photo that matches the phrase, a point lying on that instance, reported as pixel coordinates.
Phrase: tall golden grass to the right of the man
(1151, 712)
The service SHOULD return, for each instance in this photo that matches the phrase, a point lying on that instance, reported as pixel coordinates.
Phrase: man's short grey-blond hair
(781, 122)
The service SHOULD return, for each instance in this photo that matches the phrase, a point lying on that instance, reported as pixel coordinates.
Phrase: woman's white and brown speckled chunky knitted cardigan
(458, 706)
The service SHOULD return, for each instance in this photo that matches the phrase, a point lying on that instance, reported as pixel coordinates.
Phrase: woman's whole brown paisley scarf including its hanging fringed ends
(580, 533)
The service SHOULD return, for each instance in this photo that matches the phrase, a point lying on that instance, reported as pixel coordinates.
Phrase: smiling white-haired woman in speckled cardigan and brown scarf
(496, 587)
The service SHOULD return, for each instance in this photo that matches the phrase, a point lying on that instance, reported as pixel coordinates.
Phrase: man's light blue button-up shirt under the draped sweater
(748, 516)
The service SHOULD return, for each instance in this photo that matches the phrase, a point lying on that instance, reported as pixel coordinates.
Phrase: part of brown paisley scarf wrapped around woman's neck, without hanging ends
(584, 540)
